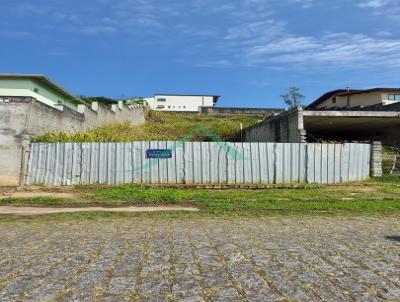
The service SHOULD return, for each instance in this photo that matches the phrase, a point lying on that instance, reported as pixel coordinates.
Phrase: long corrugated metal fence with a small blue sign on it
(197, 163)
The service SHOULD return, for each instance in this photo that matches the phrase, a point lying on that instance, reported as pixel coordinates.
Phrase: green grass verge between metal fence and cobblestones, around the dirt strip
(373, 197)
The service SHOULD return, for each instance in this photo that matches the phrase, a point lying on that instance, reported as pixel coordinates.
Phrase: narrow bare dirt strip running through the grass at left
(41, 211)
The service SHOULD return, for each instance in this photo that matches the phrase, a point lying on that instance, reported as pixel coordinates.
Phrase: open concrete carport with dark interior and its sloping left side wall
(300, 126)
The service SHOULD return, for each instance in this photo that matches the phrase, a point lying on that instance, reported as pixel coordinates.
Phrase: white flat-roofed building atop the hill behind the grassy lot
(180, 102)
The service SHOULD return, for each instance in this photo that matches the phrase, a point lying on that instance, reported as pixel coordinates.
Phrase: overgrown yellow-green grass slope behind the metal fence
(159, 126)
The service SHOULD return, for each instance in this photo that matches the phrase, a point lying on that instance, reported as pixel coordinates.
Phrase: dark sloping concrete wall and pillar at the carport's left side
(286, 127)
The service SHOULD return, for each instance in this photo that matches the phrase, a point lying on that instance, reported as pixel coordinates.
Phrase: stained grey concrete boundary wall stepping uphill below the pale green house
(23, 117)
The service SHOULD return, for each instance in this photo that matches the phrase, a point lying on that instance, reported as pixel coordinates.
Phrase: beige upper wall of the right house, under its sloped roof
(362, 99)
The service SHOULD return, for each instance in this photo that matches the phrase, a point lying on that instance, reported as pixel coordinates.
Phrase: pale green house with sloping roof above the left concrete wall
(38, 87)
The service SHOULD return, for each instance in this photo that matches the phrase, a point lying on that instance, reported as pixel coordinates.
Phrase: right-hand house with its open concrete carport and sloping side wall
(340, 115)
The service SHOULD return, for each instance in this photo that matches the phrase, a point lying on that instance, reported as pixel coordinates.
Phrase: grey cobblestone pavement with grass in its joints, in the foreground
(142, 259)
